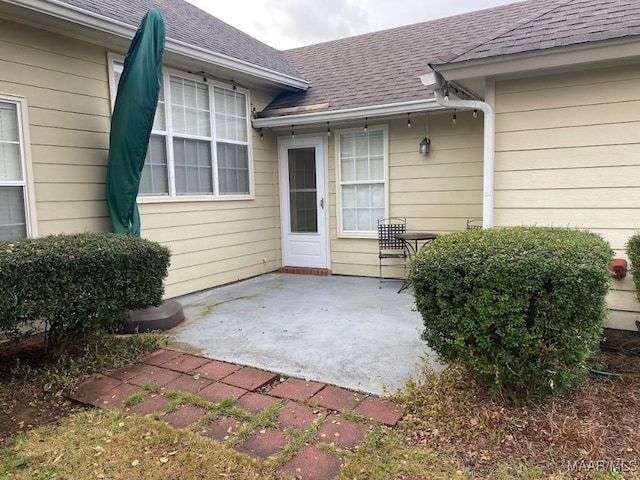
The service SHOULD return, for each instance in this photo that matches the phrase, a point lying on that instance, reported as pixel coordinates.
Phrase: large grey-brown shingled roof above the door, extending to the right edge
(383, 67)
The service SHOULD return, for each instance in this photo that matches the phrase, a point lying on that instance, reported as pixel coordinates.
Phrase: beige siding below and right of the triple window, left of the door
(214, 242)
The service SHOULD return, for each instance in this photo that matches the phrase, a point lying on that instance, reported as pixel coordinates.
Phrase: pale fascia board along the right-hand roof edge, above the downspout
(566, 58)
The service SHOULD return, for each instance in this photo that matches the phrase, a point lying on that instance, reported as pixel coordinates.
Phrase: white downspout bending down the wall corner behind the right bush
(435, 82)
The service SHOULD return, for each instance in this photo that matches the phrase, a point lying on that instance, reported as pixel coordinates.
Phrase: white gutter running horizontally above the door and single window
(347, 114)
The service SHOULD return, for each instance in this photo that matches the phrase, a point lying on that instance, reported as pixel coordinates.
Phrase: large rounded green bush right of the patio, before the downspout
(521, 307)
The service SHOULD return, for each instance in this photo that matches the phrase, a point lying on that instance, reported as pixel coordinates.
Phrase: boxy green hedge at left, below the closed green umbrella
(71, 285)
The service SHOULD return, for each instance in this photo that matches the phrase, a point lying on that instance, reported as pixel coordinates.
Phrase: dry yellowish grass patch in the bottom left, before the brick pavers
(104, 443)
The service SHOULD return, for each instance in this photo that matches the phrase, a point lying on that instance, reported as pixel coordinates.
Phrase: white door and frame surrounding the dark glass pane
(319, 142)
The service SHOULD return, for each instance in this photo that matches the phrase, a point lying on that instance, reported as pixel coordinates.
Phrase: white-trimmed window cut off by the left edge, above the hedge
(14, 222)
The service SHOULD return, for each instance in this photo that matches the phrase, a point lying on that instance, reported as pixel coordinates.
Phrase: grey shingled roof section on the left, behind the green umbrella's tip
(187, 23)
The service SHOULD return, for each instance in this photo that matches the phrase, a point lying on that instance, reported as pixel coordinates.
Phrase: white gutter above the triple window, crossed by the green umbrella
(101, 23)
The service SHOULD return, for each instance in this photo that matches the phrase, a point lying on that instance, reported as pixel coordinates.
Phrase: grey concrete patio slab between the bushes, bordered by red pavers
(339, 330)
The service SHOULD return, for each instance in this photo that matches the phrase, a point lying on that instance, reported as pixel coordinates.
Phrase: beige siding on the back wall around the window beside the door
(436, 192)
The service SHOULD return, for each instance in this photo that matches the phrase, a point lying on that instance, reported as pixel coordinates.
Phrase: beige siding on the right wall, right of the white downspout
(568, 154)
